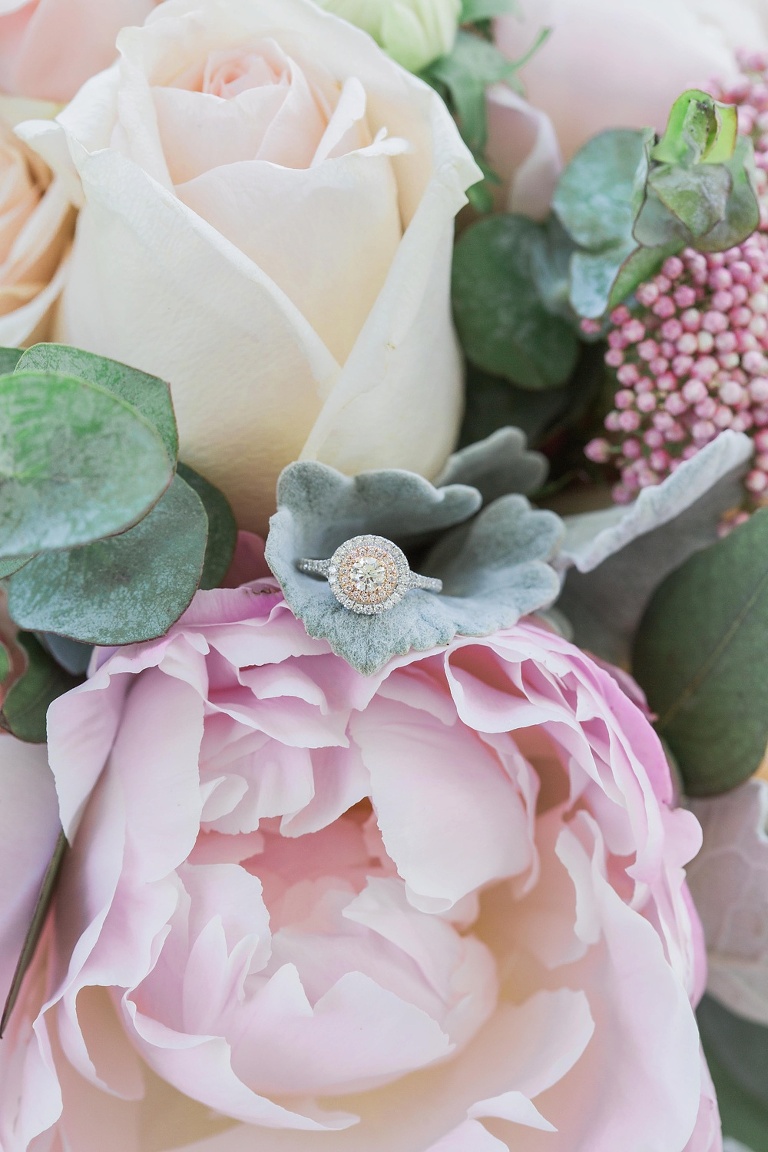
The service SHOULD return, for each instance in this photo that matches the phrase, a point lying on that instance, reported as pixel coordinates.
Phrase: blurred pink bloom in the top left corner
(50, 48)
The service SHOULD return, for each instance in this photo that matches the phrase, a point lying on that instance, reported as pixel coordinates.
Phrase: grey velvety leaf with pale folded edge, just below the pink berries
(613, 560)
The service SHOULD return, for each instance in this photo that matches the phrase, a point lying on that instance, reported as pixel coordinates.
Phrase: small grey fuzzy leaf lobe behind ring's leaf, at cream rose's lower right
(497, 467)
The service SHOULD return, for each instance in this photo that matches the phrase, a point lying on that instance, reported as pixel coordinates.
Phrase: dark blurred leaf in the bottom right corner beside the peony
(737, 1055)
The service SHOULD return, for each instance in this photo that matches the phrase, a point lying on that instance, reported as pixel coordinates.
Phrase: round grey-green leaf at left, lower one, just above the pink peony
(126, 589)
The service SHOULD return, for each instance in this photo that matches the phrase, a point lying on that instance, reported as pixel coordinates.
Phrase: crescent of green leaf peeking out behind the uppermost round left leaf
(148, 395)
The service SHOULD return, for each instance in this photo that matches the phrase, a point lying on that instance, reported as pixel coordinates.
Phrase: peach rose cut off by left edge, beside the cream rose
(36, 228)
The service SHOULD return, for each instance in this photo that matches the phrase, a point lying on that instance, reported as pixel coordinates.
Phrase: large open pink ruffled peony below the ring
(439, 910)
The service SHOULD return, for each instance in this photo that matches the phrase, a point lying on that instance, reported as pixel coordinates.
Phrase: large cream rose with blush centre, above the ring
(268, 223)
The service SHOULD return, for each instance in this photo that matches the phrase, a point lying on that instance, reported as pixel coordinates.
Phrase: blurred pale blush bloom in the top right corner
(621, 64)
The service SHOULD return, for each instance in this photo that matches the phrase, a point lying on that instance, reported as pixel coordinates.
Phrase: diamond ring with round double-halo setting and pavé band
(369, 574)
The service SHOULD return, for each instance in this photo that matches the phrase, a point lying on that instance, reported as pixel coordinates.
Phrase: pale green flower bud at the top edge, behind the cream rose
(414, 33)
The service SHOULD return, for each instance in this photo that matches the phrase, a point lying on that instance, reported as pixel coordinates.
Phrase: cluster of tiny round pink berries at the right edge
(690, 357)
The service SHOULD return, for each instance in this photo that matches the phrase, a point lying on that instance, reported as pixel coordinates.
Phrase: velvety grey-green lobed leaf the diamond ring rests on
(495, 570)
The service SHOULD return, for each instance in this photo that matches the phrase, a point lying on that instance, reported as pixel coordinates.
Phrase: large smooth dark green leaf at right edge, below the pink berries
(702, 657)
